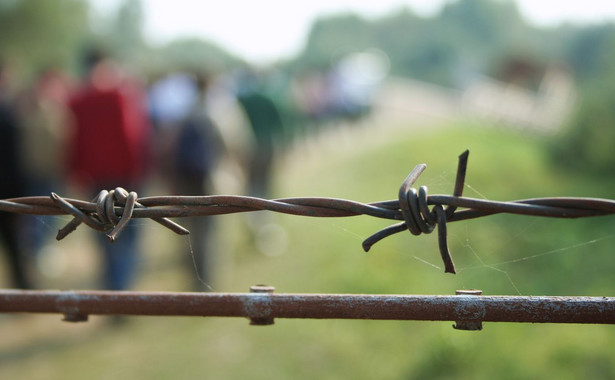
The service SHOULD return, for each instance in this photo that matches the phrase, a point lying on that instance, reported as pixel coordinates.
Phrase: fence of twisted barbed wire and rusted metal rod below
(111, 210)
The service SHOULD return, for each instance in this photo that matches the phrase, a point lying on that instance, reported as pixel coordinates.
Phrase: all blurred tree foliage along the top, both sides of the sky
(465, 38)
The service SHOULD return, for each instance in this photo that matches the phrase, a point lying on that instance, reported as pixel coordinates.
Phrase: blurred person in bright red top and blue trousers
(108, 148)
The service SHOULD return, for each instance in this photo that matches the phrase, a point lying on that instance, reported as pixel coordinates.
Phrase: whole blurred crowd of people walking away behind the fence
(112, 129)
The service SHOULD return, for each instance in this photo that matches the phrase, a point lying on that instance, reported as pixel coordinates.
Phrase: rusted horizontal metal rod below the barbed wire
(262, 306)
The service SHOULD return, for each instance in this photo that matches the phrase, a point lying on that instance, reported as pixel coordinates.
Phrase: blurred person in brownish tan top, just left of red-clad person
(43, 118)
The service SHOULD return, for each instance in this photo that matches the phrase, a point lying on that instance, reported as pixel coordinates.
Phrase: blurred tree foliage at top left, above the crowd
(57, 32)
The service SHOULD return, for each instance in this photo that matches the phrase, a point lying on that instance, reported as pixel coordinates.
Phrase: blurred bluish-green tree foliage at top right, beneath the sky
(466, 37)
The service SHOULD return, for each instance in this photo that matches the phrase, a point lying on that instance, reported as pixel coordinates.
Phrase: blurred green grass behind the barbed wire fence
(556, 257)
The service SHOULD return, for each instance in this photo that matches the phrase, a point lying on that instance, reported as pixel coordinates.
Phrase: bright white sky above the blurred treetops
(263, 30)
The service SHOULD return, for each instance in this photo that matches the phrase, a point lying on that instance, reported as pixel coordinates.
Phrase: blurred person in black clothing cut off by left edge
(11, 184)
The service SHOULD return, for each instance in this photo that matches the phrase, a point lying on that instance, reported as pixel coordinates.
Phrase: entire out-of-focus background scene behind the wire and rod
(327, 99)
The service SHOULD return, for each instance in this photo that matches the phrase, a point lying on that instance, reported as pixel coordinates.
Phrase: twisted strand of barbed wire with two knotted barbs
(110, 211)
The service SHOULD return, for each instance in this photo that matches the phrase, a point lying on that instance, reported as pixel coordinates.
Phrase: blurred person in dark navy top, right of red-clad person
(197, 150)
